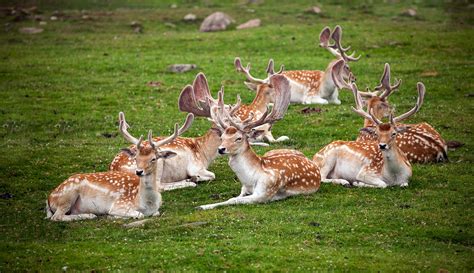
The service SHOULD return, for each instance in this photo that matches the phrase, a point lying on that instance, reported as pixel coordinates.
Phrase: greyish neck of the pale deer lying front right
(396, 167)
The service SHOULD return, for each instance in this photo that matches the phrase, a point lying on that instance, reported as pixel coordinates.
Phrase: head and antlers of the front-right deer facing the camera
(386, 132)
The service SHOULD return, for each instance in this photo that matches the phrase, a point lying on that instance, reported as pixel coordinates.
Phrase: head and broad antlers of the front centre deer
(237, 132)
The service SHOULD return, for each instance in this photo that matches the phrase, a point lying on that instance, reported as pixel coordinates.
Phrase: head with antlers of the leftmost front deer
(148, 153)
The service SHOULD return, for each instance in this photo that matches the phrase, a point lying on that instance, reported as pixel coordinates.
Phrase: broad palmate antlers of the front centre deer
(223, 118)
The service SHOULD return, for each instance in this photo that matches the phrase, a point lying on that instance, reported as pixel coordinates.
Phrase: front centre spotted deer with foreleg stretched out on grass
(274, 176)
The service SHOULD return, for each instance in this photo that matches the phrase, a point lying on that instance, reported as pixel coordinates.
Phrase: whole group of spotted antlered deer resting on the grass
(379, 157)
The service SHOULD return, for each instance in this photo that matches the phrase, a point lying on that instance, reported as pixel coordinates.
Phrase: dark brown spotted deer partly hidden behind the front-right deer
(421, 143)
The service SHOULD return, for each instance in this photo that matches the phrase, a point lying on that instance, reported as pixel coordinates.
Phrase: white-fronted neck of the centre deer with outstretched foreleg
(246, 165)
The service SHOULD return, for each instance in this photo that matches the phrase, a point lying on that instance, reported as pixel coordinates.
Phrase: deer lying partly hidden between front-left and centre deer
(193, 155)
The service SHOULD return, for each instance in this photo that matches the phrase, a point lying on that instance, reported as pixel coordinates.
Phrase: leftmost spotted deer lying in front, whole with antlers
(119, 194)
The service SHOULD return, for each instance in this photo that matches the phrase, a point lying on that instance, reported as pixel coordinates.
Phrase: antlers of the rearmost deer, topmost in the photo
(336, 49)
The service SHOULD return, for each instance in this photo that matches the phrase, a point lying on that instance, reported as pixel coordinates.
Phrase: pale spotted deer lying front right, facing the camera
(378, 163)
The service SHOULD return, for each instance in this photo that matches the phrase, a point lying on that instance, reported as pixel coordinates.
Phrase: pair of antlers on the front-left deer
(123, 127)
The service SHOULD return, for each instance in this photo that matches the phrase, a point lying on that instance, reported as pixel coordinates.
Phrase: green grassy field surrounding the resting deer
(63, 88)
